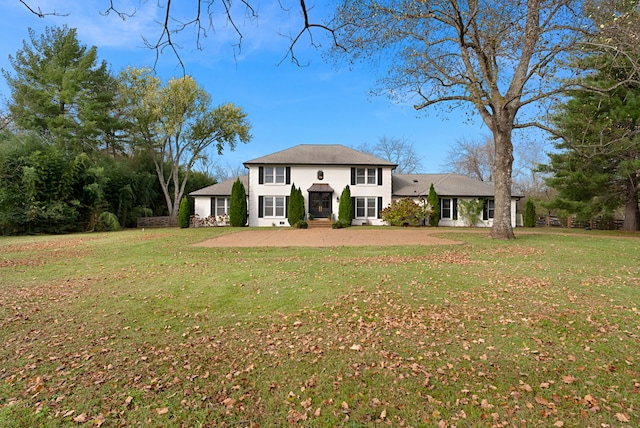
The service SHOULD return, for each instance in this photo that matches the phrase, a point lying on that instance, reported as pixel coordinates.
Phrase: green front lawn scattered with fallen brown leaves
(140, 328)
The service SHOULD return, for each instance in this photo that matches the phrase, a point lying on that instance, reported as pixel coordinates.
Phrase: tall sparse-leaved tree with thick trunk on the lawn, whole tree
(496, 57)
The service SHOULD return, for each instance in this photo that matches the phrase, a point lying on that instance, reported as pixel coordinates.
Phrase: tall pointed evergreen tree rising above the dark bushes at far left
(59, 89)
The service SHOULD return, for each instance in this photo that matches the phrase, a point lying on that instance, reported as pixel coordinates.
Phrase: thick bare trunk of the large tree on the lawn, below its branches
(501, 228)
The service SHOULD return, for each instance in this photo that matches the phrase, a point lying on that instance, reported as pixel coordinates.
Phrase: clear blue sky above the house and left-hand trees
(286, 104)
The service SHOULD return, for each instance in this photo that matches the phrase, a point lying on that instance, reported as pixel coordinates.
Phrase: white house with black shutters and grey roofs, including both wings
(323, 171)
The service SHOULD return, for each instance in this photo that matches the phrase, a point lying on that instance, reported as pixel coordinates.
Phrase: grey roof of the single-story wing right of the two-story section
(414, 185)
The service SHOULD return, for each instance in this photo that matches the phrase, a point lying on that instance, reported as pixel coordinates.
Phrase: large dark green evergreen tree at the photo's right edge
(596, 167)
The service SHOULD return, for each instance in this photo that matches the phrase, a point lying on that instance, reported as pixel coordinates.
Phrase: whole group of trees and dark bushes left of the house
(79, 141)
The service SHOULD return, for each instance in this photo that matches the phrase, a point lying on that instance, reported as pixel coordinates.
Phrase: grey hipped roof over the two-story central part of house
(320, 154)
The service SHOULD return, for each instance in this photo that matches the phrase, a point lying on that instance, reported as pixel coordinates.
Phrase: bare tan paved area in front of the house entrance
(349, 237)
